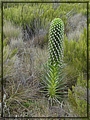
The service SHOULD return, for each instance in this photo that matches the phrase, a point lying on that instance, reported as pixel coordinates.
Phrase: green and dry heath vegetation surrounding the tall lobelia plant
(25, 51)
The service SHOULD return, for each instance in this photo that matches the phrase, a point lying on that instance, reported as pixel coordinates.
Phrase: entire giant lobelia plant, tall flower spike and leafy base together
(54, 85)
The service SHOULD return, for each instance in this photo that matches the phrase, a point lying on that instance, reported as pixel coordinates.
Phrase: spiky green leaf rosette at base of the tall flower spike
(54, 83)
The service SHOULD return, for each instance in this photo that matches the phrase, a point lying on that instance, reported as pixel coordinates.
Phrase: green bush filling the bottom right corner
(78, 98)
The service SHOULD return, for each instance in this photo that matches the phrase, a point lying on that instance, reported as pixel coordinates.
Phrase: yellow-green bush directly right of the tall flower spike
(75, 56)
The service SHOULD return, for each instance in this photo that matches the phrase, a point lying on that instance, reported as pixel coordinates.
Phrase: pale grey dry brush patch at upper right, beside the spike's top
(75, 26)
